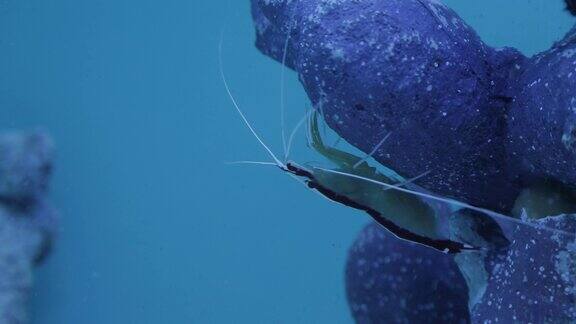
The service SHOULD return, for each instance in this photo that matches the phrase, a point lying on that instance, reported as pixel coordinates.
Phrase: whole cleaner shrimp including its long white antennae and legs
(397, 204)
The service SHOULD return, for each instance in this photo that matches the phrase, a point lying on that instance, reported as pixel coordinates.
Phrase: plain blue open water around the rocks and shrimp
(156, 228)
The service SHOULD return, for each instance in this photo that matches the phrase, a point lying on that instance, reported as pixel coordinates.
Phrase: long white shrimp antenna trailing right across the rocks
(442, 199)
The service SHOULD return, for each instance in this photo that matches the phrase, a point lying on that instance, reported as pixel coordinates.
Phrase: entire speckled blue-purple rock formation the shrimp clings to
(485, 123)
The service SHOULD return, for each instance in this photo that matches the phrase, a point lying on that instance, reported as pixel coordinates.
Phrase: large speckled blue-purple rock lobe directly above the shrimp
(411, 68)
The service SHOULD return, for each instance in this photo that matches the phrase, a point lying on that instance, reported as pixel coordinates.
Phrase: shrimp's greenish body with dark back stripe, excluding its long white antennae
(403, 214)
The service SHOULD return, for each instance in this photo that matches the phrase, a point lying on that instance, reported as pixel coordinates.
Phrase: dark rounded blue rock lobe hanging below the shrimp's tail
(393, 281)
